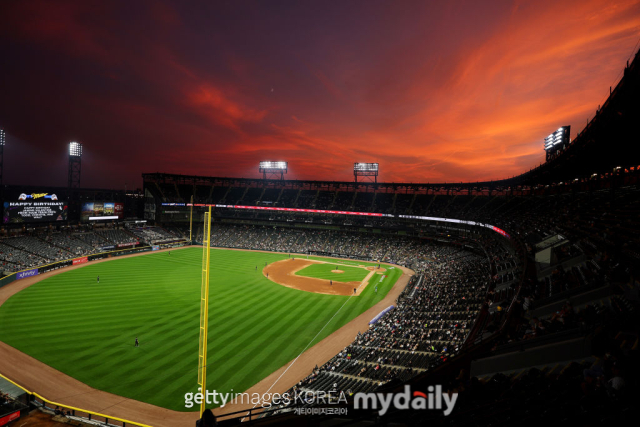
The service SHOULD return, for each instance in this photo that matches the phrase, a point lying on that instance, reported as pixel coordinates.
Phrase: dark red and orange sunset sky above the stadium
(432, 90)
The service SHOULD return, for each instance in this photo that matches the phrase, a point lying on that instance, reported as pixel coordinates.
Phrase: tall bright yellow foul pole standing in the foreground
(204, 308)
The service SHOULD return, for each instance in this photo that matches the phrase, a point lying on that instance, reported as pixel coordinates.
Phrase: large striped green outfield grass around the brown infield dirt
(87, 330)
